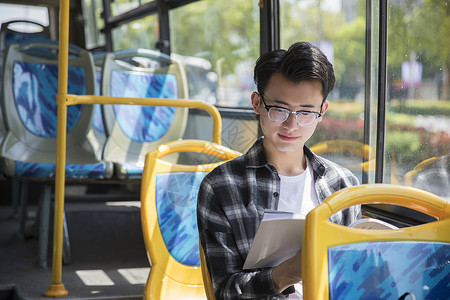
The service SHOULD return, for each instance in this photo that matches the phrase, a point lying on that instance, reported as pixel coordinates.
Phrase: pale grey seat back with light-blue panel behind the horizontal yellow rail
(133, 130)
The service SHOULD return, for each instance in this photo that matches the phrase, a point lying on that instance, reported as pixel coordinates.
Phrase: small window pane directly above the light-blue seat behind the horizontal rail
(141, 33)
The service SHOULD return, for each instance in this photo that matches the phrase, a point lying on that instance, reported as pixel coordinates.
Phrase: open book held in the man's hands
(280, 236)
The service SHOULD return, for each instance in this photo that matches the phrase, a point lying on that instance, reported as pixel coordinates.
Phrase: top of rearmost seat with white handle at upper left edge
(18, 31)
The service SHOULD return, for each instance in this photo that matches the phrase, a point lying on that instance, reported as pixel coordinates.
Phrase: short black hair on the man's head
(301, 62)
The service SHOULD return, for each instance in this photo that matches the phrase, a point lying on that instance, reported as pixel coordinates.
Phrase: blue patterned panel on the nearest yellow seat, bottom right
(388, 270)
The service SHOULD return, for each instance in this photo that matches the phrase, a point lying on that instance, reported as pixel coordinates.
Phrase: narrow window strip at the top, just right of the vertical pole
(92, 11)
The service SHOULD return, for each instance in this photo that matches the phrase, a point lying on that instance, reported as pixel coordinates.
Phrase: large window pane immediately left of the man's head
(218, 41)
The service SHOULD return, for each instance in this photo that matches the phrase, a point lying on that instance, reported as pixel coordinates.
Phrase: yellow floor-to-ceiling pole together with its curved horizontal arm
(56, 288)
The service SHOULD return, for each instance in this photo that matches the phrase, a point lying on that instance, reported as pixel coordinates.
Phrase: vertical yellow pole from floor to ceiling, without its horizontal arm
(57, 288)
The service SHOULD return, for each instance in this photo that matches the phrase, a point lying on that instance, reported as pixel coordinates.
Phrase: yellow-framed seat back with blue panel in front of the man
(340, 262)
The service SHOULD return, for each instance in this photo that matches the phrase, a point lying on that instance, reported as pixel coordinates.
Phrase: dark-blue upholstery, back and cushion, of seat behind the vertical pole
(35, 89)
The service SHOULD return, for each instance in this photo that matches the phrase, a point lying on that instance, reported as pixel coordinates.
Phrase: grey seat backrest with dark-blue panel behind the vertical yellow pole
(30, 84)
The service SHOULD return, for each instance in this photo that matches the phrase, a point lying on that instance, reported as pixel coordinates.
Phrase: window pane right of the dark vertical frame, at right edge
(418, 107)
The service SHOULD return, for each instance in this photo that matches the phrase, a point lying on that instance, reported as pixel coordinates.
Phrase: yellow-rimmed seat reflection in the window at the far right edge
(432, 175)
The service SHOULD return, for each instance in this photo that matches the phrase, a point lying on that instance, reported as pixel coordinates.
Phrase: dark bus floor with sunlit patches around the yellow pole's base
(108, 257)
